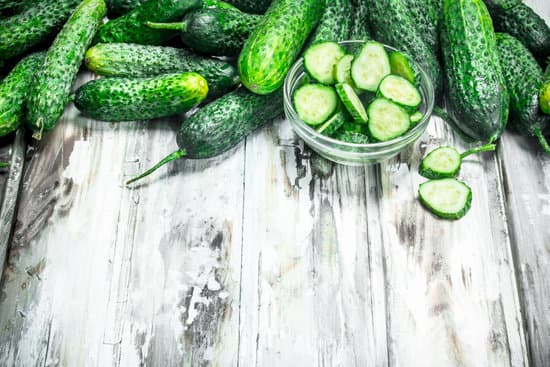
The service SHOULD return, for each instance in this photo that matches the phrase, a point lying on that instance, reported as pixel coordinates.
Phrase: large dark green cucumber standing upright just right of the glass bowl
(477, 96)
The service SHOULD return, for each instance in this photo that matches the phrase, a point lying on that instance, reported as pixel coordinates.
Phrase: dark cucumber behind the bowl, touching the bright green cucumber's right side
(335, 25)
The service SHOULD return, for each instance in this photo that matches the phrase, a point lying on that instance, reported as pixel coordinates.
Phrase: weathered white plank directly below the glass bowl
(312, 290)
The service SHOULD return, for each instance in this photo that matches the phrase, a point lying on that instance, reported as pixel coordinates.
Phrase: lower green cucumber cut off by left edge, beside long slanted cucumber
(13, 92)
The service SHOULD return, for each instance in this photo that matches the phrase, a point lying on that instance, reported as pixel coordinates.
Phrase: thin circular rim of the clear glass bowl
(295, 119)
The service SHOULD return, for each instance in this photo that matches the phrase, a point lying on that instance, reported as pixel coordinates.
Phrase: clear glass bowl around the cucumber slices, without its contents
(348, 153)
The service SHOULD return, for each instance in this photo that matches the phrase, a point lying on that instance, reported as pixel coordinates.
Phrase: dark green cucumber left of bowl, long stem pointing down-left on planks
(222, 124)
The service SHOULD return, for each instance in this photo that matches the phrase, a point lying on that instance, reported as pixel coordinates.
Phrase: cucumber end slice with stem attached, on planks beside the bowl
(445, 162)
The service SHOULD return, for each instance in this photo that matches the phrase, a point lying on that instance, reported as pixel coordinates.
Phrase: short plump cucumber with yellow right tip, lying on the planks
(125, 99)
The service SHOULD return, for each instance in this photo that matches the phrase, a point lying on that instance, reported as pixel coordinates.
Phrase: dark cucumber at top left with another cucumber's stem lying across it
(132, 27)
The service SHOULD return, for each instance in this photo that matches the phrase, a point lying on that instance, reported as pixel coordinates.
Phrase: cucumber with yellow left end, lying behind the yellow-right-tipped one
(138, 61)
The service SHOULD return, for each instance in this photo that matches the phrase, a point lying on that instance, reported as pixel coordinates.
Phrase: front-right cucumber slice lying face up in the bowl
(387, 120)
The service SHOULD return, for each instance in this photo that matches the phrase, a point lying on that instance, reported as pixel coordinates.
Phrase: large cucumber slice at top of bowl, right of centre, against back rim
(370, 66)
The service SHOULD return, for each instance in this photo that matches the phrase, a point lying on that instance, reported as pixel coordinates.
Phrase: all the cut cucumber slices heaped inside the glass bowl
(333, 103)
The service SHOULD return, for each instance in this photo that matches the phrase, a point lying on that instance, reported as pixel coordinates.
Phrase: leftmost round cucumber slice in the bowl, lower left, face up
(315, 103)
